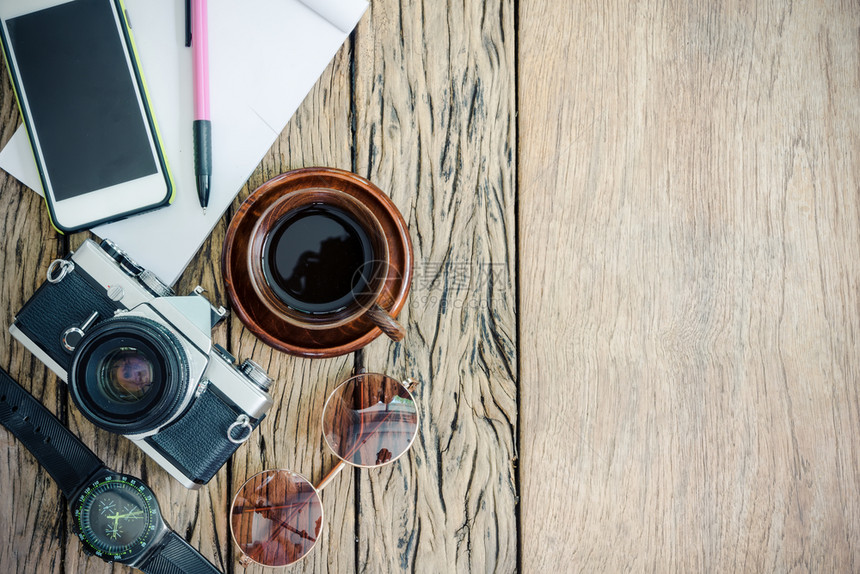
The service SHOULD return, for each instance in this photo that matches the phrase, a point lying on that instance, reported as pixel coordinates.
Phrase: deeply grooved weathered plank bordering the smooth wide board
(435, 129)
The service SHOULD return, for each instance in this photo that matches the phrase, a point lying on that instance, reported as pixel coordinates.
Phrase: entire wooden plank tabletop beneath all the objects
(635, 313)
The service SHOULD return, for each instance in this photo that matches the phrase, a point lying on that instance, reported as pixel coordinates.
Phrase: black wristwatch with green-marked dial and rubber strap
(116, 516)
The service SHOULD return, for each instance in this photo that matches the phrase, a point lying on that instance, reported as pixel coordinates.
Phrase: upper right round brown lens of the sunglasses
(370, 420)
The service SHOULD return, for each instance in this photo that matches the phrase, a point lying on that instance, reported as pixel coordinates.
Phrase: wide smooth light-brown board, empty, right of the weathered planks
(689, 226)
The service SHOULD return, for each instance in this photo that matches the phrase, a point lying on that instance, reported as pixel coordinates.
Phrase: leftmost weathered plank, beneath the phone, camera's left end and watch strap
(32, 507)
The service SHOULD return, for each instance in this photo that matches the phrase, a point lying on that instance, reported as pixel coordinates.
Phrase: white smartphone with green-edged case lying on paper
(84, 104)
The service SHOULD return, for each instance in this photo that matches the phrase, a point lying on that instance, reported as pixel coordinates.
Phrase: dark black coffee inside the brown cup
(313, 259)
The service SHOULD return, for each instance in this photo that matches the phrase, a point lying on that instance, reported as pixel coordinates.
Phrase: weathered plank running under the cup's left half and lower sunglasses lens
(290, 437)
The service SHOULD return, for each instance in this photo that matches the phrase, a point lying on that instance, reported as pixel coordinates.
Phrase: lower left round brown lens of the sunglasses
(276, 518)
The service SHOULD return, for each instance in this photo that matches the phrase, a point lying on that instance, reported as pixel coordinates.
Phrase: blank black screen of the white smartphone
(80, 93)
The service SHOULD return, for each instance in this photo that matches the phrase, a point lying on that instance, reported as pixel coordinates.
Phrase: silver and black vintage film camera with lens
(139, 361)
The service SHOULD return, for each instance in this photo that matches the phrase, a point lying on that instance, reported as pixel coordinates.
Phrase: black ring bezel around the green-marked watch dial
(144, 543)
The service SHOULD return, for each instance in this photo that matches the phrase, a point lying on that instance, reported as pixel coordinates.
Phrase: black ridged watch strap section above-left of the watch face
(69, 462)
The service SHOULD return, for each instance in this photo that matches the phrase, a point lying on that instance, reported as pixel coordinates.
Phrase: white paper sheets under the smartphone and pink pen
(264, 58)
